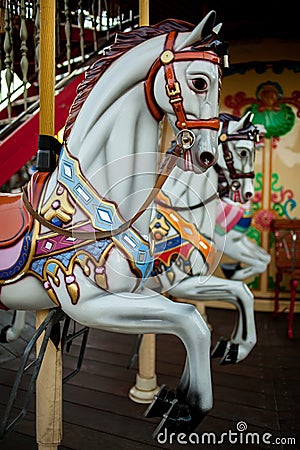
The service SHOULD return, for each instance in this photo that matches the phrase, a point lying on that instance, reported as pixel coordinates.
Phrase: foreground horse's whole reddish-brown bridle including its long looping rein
(185, 137)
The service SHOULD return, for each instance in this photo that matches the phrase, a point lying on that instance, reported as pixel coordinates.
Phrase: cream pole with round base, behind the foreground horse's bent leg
(146, 381)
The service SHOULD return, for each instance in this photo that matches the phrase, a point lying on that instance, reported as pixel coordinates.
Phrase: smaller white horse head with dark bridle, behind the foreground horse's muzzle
(238, 140)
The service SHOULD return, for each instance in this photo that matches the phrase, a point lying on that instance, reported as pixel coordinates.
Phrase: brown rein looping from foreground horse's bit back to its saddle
(165, 170)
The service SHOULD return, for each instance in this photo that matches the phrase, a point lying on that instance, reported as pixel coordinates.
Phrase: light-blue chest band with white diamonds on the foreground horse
(104, 214)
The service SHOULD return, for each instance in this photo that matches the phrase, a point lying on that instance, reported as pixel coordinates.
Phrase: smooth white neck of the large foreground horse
(117, 155)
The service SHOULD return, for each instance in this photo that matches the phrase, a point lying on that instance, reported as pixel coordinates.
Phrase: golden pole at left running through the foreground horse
(49, 381)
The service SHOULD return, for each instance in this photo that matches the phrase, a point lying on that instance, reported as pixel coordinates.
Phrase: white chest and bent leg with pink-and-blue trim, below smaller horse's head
(232, 223)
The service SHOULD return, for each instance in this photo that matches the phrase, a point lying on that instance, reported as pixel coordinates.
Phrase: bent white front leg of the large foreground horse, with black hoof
(149, 312)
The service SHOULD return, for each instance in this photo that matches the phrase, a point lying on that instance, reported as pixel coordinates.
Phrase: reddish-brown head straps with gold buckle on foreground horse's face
(173, 88)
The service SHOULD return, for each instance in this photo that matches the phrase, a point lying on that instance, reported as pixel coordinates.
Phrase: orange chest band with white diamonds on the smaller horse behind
(189, 235)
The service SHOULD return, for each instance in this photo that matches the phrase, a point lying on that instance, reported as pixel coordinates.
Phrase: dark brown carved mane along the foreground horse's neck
(123, 43)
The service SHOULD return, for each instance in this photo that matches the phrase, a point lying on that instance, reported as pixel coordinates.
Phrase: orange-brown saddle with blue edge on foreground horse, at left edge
(16, 228)
